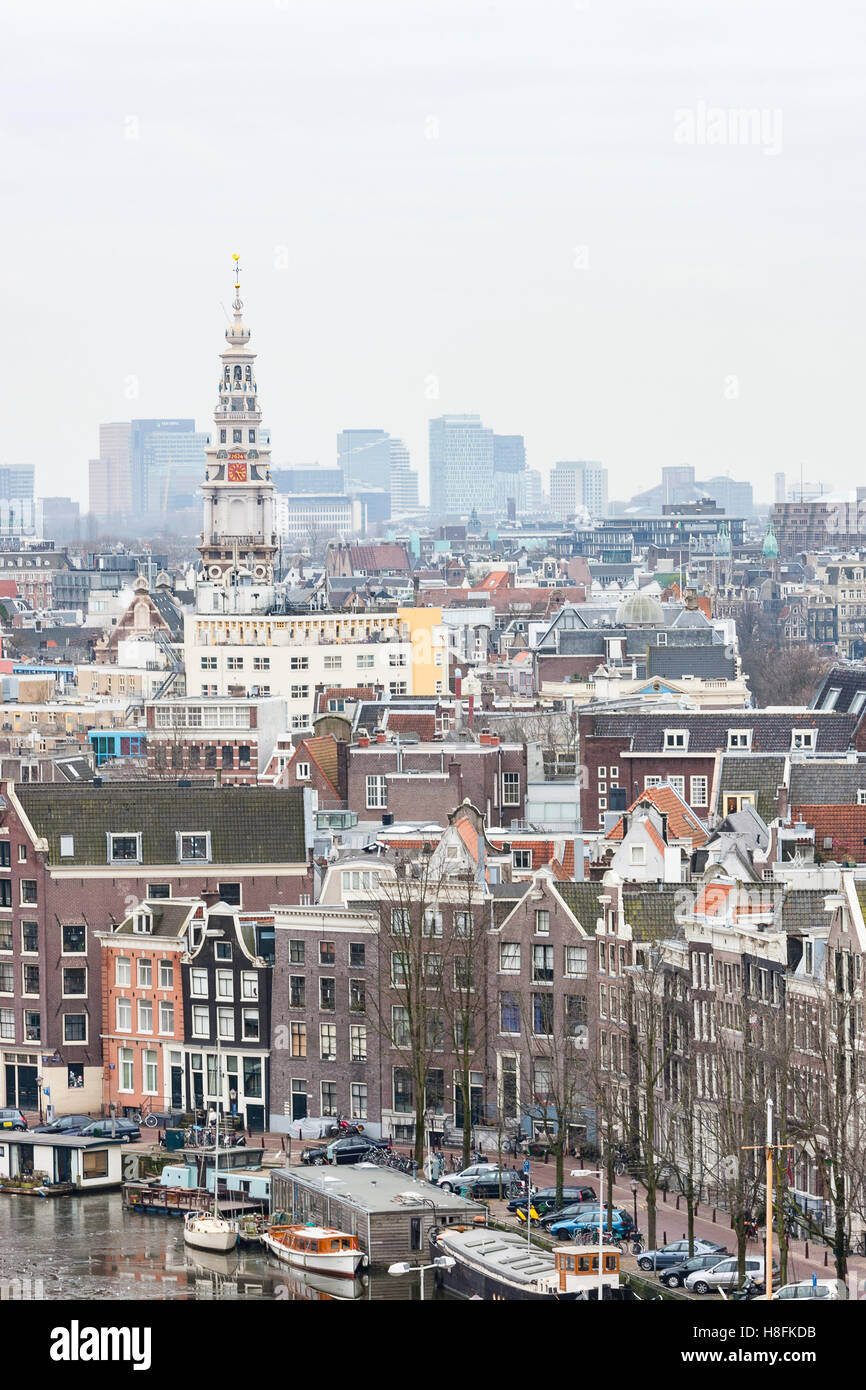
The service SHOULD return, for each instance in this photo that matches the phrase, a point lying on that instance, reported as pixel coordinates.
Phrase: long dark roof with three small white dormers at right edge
(708, 733)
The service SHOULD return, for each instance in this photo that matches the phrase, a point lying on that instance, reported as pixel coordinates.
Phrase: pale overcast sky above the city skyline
(451, 206)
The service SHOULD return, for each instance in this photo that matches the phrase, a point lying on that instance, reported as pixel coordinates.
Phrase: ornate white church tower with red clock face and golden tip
(238, 541)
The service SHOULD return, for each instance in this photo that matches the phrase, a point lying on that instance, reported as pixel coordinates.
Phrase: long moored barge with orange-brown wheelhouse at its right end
(500, 1266)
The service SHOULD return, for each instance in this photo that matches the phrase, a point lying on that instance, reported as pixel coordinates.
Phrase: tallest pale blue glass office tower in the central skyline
(461, 466)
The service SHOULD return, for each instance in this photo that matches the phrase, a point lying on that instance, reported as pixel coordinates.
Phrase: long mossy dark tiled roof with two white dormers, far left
(248, 825)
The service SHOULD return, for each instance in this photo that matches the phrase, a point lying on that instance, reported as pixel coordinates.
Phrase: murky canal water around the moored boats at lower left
(95, 1249)
